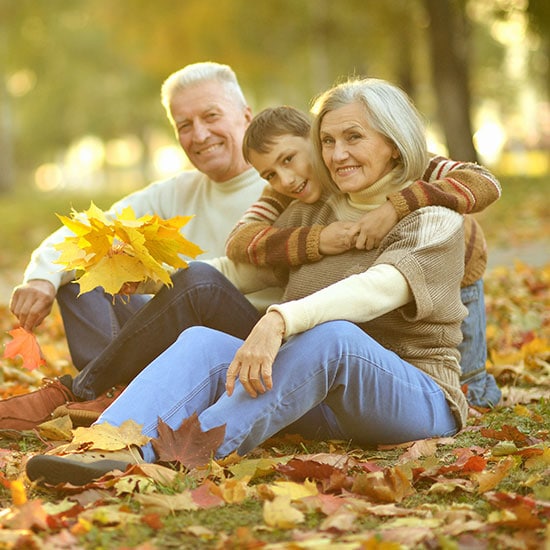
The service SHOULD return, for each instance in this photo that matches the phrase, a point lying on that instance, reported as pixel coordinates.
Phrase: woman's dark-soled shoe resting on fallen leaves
(53, 470)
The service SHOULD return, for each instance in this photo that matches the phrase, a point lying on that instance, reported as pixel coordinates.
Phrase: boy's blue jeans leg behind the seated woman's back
(482, 388)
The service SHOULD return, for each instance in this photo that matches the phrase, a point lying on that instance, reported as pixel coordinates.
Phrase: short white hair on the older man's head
(197, 73)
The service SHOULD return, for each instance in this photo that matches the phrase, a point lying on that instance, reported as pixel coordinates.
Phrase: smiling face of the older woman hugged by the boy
(356, 155)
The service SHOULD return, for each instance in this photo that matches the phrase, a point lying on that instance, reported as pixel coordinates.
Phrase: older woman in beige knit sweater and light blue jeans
(365, 342)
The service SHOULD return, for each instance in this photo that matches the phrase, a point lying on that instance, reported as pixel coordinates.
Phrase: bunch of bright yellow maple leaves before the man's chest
(111, 253)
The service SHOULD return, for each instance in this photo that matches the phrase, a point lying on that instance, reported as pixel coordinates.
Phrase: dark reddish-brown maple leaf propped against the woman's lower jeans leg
(188, 445)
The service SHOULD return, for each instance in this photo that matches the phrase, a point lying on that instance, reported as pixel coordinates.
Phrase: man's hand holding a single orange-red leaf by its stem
(32, 302)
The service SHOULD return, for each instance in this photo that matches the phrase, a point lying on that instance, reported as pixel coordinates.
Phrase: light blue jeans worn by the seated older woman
(369, 394)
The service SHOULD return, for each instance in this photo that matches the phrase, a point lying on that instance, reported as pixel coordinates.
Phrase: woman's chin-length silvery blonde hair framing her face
(389, 111)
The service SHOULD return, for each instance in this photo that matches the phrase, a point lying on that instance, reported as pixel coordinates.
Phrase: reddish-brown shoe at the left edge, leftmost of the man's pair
(25, 412)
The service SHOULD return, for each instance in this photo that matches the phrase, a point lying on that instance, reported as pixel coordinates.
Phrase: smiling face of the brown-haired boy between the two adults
(288, 168)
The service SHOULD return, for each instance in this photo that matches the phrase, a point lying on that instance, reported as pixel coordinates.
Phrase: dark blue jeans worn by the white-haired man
(126, 343)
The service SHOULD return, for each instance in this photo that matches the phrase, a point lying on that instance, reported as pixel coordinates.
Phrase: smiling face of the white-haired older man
(210, 126)
